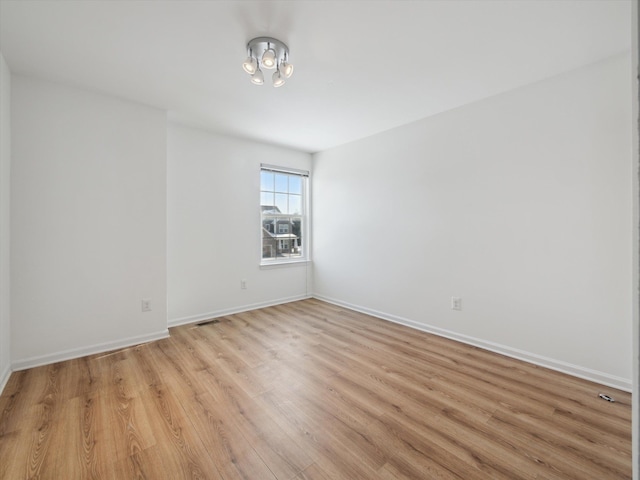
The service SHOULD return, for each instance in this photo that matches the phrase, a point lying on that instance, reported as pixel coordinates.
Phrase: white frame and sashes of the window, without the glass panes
(305, 217)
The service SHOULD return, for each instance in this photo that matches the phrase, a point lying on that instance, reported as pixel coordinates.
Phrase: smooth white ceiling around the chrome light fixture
(361, 67)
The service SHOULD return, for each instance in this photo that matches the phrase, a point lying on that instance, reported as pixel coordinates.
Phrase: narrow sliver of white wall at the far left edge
(5, 221)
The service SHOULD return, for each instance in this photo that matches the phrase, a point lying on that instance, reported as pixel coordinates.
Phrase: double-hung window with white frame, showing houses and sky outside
(283, 205)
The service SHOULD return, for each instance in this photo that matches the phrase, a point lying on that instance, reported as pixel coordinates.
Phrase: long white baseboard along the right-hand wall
(560, 366)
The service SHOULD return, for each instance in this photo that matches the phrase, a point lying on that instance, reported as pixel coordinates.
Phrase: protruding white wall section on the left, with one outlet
(88, 222)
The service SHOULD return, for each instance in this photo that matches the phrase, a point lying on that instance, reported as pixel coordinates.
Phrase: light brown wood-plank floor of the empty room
(308, 390)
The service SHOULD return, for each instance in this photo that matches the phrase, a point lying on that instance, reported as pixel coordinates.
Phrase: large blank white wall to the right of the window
(519, 204)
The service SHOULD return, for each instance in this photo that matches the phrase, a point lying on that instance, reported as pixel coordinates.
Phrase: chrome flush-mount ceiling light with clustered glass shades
(268, 53)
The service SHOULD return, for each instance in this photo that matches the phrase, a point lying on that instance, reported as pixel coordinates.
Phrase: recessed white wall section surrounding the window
(213, 226)
